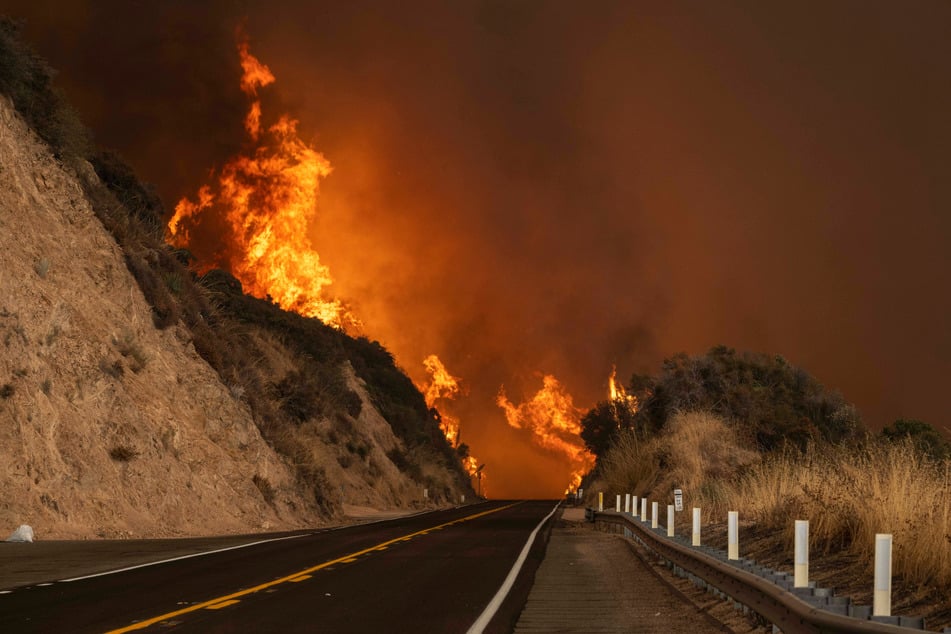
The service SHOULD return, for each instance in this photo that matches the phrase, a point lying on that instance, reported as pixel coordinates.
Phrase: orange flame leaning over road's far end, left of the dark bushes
(554, 423)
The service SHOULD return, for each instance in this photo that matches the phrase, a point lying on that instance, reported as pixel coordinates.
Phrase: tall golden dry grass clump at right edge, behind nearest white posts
(850, 494)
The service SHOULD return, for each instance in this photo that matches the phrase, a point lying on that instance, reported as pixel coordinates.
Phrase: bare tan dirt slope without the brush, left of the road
(108, 426)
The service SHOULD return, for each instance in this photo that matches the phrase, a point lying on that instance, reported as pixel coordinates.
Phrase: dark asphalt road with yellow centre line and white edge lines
(434, 572)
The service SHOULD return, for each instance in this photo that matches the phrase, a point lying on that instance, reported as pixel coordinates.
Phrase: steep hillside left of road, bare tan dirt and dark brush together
(138, 399)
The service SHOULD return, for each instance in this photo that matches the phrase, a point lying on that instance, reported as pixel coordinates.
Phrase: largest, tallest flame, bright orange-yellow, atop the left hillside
(266, 198)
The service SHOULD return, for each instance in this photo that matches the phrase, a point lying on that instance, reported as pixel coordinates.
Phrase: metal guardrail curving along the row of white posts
(779, 606)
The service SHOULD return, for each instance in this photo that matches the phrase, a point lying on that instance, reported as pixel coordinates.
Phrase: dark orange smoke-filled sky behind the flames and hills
(533, 189)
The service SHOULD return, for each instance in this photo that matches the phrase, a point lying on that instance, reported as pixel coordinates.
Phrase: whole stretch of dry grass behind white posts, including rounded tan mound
(848, 494)
